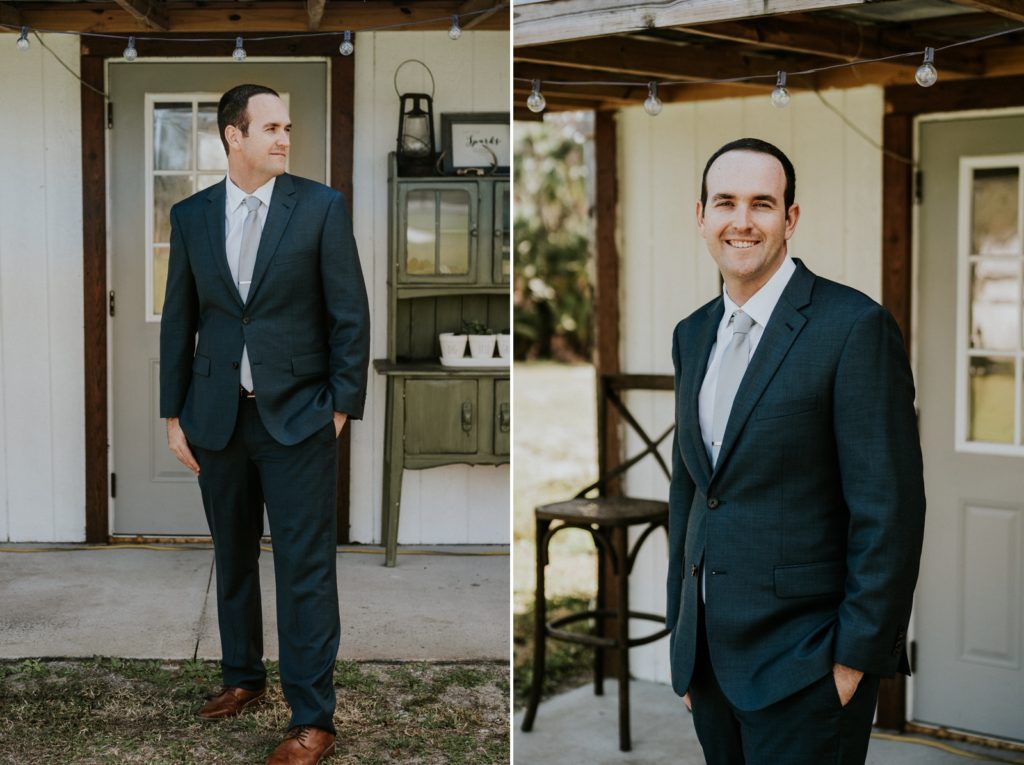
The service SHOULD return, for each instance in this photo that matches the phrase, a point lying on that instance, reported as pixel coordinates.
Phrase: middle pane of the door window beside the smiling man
(995, 306)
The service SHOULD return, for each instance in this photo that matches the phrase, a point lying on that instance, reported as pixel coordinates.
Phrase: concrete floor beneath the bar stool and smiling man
(579, 729)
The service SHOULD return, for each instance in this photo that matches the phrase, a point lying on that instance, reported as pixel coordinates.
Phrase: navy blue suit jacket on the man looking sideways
(306, 323)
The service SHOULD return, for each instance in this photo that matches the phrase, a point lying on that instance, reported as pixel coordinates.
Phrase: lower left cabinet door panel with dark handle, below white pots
(442, 417)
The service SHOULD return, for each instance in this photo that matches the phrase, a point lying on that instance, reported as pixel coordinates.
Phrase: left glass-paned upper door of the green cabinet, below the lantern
(438, 228)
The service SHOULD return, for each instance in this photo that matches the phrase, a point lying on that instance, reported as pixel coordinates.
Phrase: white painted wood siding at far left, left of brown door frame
(42, 397)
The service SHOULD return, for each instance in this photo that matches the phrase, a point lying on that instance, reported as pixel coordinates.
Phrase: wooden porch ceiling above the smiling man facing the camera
(623, 46)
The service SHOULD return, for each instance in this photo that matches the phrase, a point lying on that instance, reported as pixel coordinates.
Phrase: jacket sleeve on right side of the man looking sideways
(348, 311)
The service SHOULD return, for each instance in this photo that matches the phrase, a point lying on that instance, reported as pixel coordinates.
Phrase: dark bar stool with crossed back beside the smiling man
(608, 520)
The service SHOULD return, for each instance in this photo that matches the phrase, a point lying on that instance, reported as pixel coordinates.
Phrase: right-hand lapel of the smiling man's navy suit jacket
(783, 329)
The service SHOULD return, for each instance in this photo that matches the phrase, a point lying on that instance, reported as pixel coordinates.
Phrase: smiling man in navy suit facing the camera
(797, 504)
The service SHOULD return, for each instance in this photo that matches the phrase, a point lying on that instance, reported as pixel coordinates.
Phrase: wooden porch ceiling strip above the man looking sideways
(186, 17)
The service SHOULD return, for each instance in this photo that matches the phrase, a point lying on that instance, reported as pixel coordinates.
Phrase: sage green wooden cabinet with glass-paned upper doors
(449, 263)
